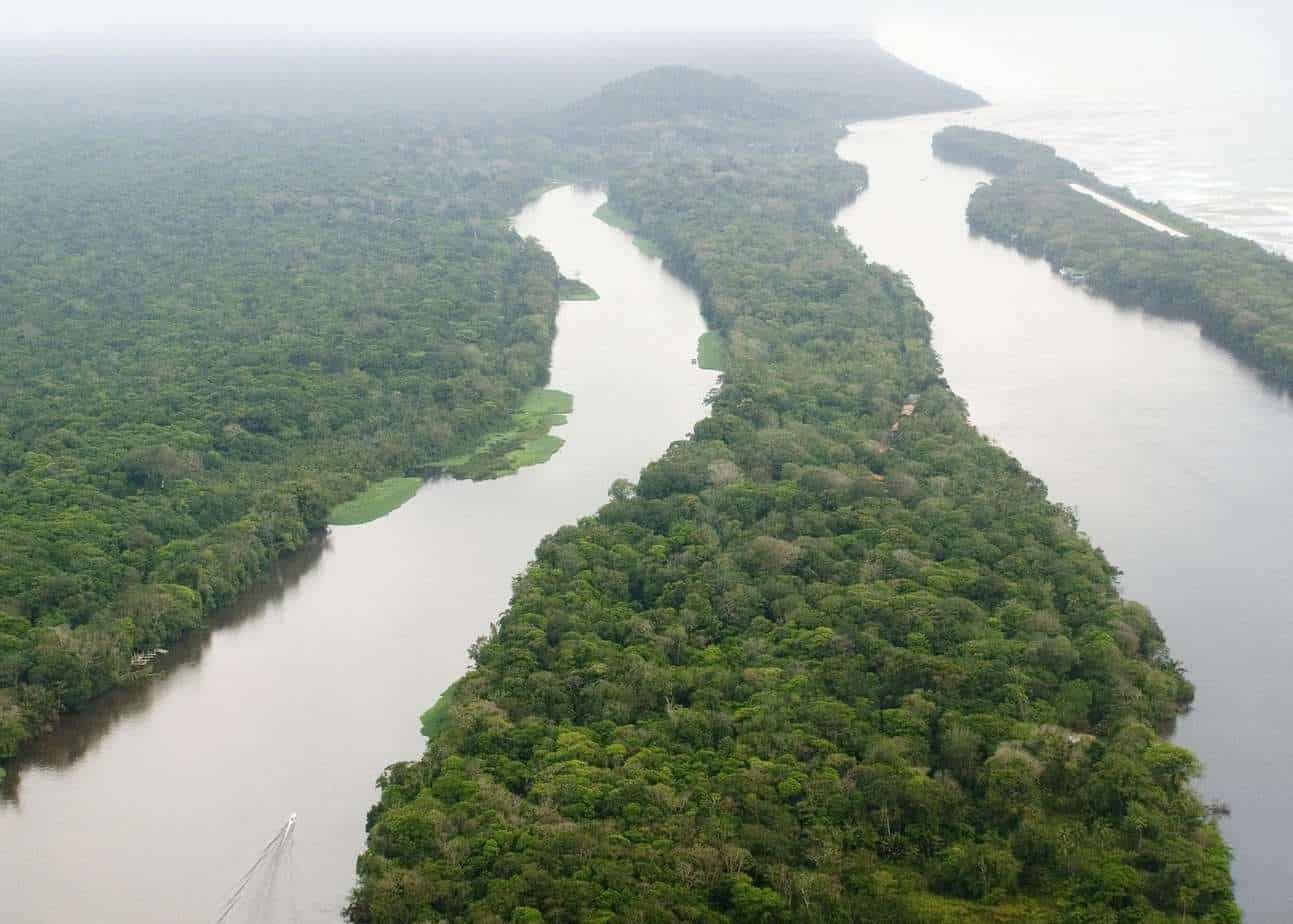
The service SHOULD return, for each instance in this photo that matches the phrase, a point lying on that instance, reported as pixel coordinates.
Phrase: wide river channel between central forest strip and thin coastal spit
(1175, 456)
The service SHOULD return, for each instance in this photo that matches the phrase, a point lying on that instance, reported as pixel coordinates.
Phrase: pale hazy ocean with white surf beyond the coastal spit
(1191, 110)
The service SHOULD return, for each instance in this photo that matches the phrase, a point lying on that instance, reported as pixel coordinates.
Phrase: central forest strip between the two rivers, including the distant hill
(810, 667)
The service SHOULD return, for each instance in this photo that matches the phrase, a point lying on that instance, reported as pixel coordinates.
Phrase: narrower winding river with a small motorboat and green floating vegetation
(151, 806)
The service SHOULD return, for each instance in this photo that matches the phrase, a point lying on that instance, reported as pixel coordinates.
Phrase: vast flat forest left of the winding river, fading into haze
(236, 288)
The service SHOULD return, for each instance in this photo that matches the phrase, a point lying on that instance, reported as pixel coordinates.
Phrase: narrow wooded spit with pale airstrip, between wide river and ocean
(1241, 294)
